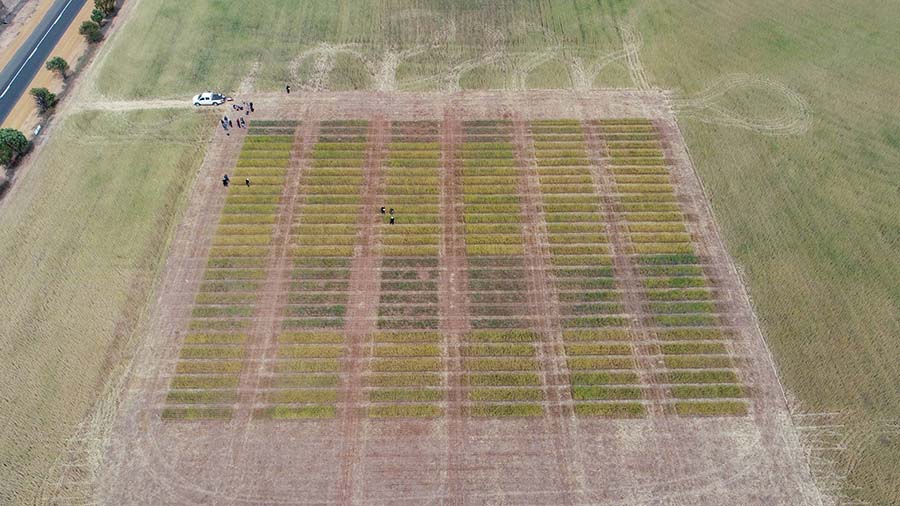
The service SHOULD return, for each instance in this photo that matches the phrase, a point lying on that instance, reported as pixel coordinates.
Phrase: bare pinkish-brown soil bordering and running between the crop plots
(555, 459)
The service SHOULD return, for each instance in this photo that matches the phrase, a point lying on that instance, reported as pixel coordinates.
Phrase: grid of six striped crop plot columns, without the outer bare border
(630, 323)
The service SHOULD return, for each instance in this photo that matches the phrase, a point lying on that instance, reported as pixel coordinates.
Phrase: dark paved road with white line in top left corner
(18, 73)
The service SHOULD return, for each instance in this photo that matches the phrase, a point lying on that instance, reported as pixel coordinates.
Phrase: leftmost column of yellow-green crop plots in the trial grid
(210, 360)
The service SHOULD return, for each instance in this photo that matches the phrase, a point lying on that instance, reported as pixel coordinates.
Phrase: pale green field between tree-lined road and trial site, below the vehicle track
(82, 238)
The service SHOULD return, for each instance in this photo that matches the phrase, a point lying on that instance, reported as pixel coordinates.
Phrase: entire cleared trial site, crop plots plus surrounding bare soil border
(553, 318)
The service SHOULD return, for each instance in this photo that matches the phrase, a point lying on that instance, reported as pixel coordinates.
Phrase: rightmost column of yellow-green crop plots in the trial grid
(680, 306)
